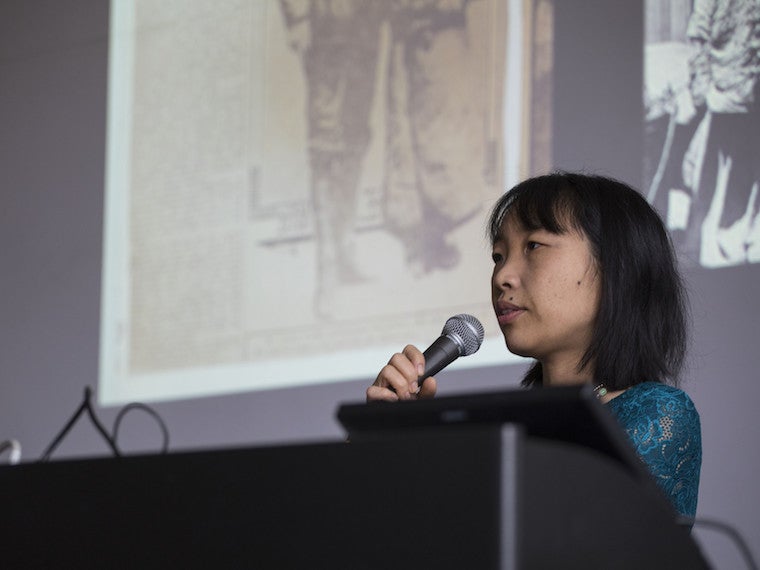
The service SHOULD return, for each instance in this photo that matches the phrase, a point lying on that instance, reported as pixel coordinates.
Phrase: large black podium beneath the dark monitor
(488, 496)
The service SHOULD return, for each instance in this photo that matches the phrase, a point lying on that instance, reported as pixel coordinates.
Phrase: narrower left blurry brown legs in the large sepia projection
(338, 46)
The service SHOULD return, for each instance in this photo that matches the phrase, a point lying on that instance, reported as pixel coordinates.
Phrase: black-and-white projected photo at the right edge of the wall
(702, 151)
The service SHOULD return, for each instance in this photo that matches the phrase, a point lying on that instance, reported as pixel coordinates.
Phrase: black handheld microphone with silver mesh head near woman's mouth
(462, 335)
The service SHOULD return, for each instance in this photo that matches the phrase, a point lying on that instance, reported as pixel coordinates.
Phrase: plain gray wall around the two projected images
(53, 63)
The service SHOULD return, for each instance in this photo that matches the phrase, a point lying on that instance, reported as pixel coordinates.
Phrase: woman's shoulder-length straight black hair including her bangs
(640, 333)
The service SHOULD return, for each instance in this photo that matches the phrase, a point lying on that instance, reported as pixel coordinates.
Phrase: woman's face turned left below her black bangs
(545, 291)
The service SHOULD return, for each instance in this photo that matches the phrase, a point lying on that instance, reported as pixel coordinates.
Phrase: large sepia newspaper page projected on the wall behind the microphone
(296, 189)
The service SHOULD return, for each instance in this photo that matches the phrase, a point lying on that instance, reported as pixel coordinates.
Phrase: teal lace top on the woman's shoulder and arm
(663, 425)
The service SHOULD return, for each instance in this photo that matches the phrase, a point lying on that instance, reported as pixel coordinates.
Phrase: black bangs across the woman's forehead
(539, 203)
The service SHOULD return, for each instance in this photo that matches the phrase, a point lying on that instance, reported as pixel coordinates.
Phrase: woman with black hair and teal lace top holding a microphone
(585, 282)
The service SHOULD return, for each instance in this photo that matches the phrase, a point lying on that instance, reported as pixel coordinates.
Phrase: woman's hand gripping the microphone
(398, 379)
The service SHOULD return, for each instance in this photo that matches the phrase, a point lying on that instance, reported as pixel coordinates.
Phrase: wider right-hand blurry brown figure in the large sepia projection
(437, 151)
